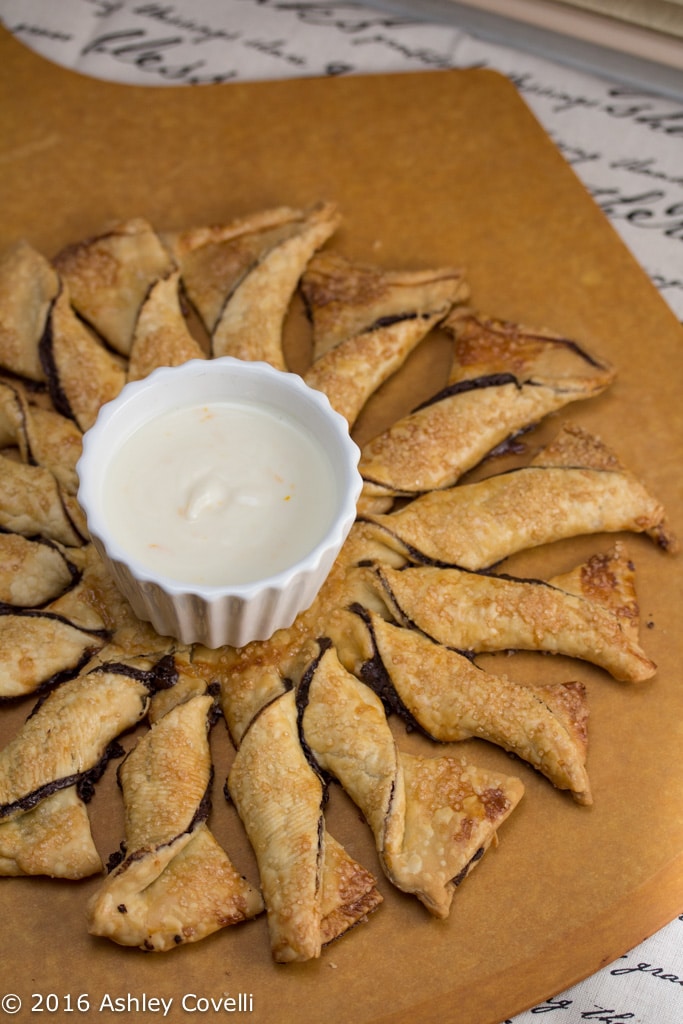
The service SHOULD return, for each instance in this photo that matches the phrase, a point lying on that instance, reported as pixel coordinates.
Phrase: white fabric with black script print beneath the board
(624, 144)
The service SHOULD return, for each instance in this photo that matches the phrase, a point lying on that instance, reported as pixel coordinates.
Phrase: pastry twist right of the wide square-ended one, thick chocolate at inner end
(450, 699)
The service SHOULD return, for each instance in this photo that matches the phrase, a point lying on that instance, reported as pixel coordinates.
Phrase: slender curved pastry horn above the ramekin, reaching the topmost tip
(251, 323)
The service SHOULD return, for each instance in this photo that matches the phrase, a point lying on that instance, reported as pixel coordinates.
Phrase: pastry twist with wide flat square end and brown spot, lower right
(432, 818)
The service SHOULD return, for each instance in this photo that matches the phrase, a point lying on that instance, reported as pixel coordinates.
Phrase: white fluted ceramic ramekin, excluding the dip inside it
(232, 615)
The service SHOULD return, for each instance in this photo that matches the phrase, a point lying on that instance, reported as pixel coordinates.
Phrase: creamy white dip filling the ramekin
(226, 493)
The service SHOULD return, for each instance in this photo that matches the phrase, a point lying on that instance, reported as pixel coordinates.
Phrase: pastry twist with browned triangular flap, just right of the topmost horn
(367, 322)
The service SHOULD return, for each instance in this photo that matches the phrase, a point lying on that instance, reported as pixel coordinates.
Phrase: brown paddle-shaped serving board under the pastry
(429, 169)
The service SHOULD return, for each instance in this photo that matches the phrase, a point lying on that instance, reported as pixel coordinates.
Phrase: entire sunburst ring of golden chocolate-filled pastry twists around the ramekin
(417, 593)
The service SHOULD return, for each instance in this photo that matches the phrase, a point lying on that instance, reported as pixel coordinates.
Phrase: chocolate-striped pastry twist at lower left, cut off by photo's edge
(49, 769)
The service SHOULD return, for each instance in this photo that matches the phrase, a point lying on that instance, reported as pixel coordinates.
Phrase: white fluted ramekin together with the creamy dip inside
(220, 494)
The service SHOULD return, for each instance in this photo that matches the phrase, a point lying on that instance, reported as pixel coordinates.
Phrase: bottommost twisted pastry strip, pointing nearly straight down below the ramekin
(313, 890)
